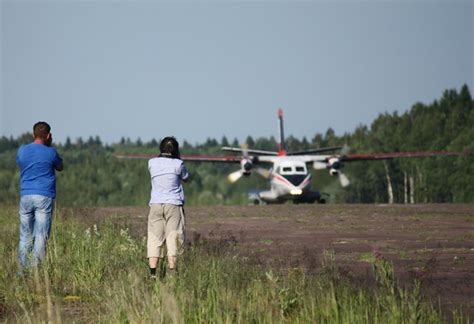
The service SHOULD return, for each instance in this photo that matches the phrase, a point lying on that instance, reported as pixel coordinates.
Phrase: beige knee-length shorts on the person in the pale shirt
(166, 222)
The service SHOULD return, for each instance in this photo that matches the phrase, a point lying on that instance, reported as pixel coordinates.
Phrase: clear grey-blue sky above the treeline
(199, 69)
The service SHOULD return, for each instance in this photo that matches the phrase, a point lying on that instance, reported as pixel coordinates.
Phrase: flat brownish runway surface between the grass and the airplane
(433, 242)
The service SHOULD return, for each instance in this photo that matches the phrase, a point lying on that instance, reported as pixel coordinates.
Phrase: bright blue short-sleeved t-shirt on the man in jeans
(37, 175)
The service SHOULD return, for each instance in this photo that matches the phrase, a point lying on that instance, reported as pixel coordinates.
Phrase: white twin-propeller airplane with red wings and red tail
(288, 173)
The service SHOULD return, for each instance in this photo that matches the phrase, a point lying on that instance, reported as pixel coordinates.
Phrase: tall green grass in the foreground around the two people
(100, 275)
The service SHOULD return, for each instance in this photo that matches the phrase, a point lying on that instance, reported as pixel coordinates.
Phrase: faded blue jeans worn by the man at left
(35, 226)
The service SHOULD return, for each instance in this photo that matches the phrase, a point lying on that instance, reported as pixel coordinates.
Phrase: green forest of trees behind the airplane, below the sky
(93, 176)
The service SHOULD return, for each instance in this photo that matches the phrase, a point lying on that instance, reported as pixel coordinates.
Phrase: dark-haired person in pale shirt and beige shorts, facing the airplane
(166, 220)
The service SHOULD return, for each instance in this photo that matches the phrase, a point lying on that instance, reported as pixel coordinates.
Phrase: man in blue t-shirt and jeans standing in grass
(38, 162)
